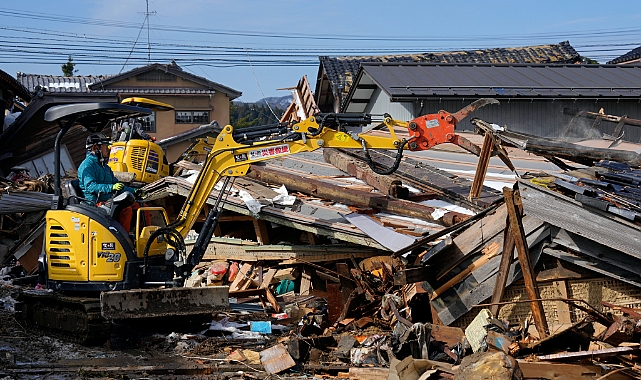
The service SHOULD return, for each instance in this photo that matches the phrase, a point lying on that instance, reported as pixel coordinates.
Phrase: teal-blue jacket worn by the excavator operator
(97, 179)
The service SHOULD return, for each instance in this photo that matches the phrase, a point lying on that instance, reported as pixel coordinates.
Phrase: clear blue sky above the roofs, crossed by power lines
(258, 46)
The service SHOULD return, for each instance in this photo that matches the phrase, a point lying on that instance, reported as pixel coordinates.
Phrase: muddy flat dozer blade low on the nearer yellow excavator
(148, 303)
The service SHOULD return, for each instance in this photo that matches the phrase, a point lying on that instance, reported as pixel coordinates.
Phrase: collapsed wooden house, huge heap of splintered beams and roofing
(404, 276)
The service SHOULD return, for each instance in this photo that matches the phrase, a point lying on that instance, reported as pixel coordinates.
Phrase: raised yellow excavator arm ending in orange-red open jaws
(228, 157)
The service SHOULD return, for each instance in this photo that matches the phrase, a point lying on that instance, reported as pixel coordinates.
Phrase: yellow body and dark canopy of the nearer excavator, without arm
(86, 249)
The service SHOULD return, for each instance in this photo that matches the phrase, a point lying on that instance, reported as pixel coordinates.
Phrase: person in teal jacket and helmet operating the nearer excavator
(98, 182)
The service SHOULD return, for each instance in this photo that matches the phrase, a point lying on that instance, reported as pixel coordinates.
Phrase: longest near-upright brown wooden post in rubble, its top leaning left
(511, 199)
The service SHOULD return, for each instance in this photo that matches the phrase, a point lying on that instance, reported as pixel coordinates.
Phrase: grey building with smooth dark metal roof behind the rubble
(535, 99)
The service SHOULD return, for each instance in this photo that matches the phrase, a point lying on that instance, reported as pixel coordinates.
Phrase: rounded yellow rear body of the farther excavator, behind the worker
(144, 159)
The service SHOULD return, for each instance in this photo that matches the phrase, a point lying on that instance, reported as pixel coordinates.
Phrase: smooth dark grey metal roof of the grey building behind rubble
(415, 80)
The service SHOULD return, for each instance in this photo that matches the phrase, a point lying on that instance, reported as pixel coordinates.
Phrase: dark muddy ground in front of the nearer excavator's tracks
(129, 353)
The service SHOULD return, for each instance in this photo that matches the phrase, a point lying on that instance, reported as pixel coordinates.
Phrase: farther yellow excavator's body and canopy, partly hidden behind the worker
(133, 151)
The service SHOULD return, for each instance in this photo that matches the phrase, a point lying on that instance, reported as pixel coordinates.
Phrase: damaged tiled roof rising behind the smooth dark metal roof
(341, 71)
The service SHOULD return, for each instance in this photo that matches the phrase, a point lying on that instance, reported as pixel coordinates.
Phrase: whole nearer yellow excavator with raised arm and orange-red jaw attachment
(87, 253)
